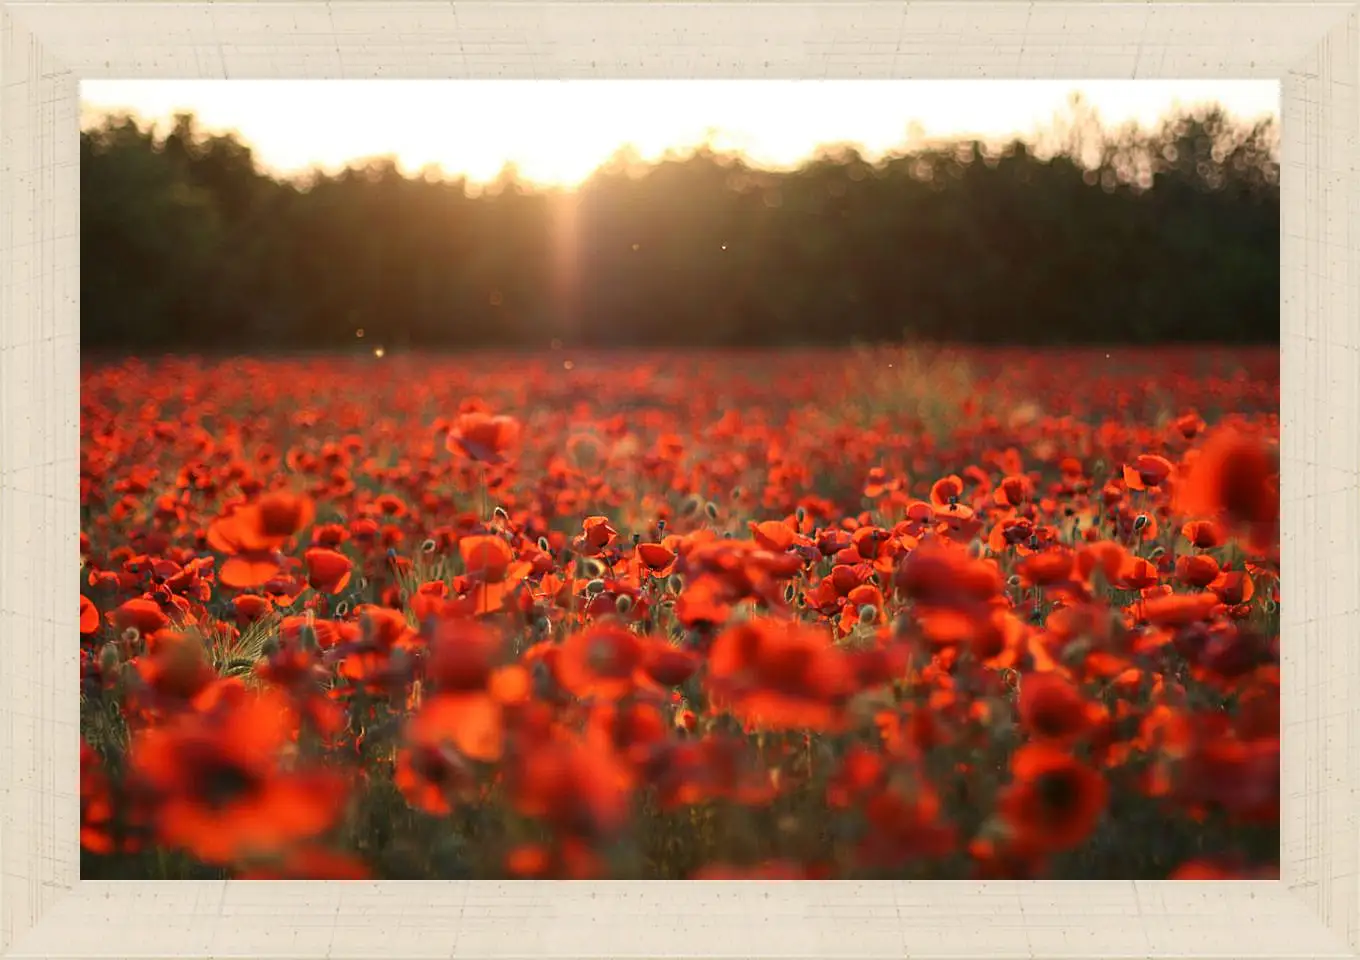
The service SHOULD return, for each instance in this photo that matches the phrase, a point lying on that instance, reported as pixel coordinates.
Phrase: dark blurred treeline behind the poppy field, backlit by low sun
(1102, 237)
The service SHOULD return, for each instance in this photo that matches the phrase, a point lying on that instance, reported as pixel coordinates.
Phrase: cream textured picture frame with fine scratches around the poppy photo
(48, 47)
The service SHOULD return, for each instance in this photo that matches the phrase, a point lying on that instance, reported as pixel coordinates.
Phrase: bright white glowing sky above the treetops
(557, 133)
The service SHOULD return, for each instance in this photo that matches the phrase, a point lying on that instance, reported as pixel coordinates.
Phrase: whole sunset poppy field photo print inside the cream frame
(679, 481)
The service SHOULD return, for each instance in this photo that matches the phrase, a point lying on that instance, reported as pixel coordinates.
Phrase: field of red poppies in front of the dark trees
(860, 614)
